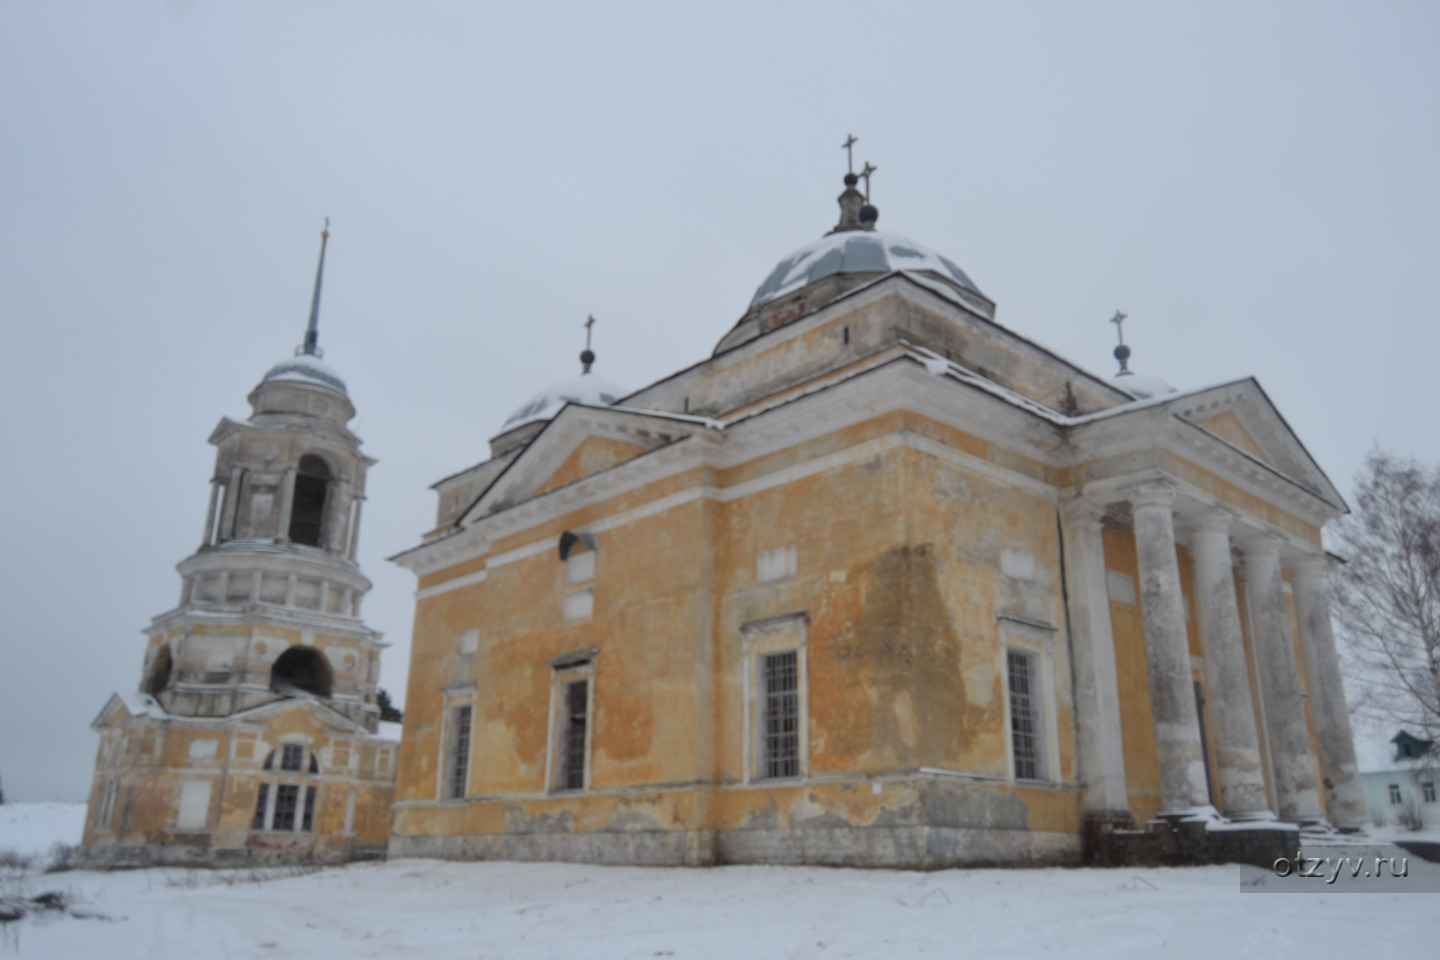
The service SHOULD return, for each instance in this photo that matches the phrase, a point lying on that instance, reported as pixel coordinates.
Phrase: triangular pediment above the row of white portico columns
(1243, 417)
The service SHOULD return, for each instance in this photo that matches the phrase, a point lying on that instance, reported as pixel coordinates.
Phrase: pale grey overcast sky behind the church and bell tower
(1256, 185)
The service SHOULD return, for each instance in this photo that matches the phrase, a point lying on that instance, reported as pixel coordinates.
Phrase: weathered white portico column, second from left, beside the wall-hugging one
(1167, 653)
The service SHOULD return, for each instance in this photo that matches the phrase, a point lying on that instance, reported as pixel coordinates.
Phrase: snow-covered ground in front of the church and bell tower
(423, 910)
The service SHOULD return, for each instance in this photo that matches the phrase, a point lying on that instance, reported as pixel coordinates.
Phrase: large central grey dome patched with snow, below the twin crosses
(855, 253)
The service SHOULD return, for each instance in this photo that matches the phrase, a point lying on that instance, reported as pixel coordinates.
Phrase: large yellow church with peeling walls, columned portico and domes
(881, 582)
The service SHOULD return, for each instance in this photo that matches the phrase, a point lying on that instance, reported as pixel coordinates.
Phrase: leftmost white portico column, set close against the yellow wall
(1092, 647)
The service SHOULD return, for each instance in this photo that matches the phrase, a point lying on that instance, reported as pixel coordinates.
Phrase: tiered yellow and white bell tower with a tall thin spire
(254, 736)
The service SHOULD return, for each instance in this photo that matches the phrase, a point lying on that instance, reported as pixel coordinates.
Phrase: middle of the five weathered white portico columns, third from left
(1228, 680)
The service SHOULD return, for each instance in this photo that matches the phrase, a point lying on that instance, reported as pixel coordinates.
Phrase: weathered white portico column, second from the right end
(1292, 764)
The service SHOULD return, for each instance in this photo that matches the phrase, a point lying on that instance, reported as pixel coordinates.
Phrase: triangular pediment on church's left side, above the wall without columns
(581, 443)
